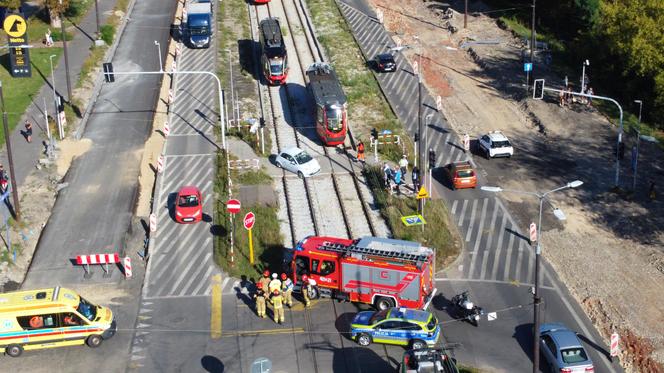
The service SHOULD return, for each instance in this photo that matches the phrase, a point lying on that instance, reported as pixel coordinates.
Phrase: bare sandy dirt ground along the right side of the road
(610, 252)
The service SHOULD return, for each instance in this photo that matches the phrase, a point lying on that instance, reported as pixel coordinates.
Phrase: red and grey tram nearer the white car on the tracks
(331, 104)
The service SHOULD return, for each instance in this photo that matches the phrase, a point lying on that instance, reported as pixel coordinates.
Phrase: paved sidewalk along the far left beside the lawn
(26, 155)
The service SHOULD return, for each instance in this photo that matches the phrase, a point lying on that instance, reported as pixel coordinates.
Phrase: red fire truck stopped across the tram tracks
(379, 271)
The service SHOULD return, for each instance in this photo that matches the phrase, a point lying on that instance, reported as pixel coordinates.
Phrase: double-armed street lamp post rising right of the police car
(536, 298)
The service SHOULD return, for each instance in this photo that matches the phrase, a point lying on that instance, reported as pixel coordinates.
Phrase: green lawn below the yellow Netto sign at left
(18, 92)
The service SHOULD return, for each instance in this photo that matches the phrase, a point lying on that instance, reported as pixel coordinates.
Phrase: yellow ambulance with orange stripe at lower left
(54, 317)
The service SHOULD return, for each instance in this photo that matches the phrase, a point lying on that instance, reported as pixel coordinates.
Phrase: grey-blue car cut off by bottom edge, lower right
(563, 350)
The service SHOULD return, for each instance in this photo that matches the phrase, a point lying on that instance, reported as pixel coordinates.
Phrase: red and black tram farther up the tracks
(274, 58)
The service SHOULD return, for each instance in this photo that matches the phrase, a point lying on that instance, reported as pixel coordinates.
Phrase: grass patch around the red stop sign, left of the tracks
(266, 232)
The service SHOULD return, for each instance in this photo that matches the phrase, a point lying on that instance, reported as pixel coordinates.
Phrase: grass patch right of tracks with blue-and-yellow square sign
(436, 233)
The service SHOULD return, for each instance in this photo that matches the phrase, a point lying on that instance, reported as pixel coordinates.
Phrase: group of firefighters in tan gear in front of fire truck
(279, 292)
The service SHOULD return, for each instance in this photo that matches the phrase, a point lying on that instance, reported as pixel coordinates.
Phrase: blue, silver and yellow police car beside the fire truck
(399, 326)
